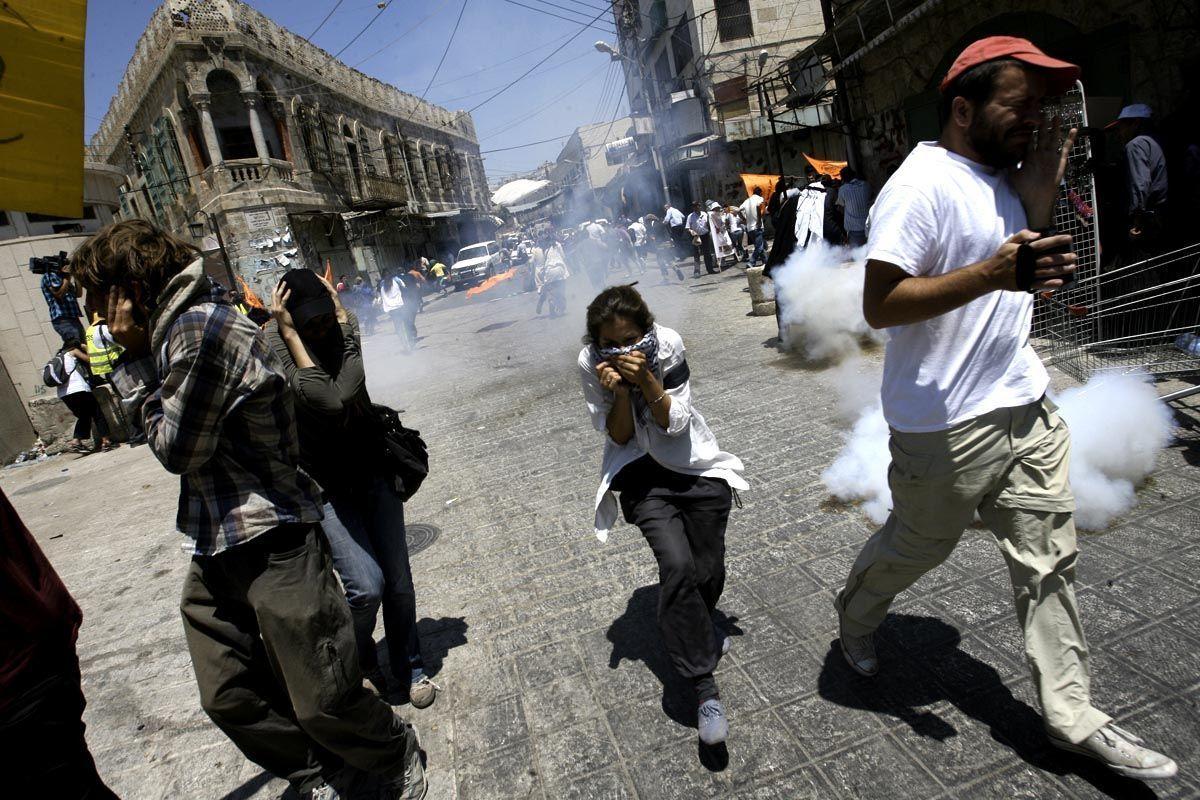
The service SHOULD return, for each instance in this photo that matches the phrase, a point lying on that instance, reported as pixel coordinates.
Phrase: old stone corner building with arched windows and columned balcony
(226, 123)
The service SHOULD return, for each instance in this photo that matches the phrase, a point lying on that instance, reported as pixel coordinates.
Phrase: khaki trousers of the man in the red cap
(1010, 466)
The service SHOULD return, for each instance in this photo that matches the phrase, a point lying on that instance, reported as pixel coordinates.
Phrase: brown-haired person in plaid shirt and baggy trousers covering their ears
(267, 625)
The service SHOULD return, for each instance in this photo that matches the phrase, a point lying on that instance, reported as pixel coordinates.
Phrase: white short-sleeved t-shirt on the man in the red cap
(938, 214)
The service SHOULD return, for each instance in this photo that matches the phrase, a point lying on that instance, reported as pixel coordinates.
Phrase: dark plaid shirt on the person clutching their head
(217, 411)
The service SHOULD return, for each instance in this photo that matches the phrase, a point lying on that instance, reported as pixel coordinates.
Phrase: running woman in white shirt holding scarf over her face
(675, 484)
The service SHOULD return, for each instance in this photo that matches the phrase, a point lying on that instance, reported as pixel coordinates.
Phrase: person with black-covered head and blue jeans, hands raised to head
(317, 340)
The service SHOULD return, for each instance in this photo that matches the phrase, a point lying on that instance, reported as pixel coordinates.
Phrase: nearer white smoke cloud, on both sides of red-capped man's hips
(1118, 429)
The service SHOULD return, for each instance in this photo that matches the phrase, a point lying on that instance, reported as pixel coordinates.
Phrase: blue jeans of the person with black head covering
(365, 528)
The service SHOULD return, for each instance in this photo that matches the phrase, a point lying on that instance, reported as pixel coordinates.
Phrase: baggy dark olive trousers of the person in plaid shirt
(273, 647)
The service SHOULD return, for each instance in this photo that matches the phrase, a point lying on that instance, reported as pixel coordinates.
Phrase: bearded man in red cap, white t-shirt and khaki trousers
(955, 254)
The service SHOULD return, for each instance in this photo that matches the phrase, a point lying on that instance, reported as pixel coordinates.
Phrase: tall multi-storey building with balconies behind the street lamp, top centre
(693, 68)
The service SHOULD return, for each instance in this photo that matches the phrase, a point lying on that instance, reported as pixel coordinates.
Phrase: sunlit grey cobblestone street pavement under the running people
(544, 640)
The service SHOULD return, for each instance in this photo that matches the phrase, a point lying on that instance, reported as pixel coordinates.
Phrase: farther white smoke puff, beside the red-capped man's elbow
(820, 291)
